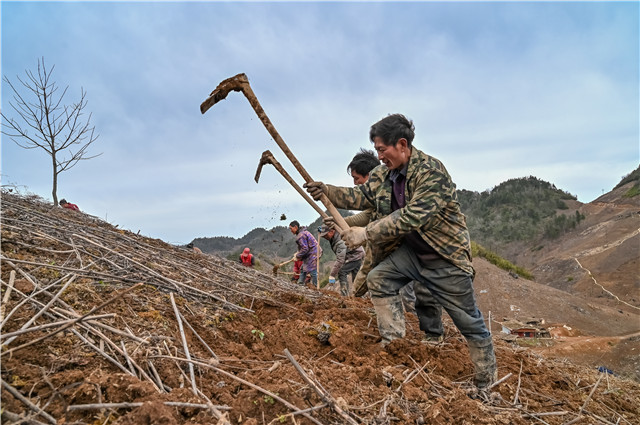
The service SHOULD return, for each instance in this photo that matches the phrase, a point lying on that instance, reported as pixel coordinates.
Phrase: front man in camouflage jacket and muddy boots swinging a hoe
(417, 233)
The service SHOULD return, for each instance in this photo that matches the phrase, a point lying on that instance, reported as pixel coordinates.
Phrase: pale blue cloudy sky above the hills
(497, 90)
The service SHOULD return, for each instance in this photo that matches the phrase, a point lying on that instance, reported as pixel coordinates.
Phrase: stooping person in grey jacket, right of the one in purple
(348, 261)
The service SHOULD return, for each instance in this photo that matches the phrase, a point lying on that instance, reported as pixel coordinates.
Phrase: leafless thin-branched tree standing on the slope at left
(45, 122)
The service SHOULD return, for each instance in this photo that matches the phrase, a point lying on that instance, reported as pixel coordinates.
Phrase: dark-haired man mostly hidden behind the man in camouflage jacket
(428, 310)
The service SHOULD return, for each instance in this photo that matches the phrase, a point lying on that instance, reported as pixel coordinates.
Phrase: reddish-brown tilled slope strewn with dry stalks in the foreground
(105, 322)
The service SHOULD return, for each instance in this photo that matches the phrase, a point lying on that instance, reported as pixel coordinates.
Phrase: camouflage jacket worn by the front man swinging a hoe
(432, 209)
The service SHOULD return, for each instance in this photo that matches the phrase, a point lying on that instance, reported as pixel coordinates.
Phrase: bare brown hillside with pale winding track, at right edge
(599, 257)
